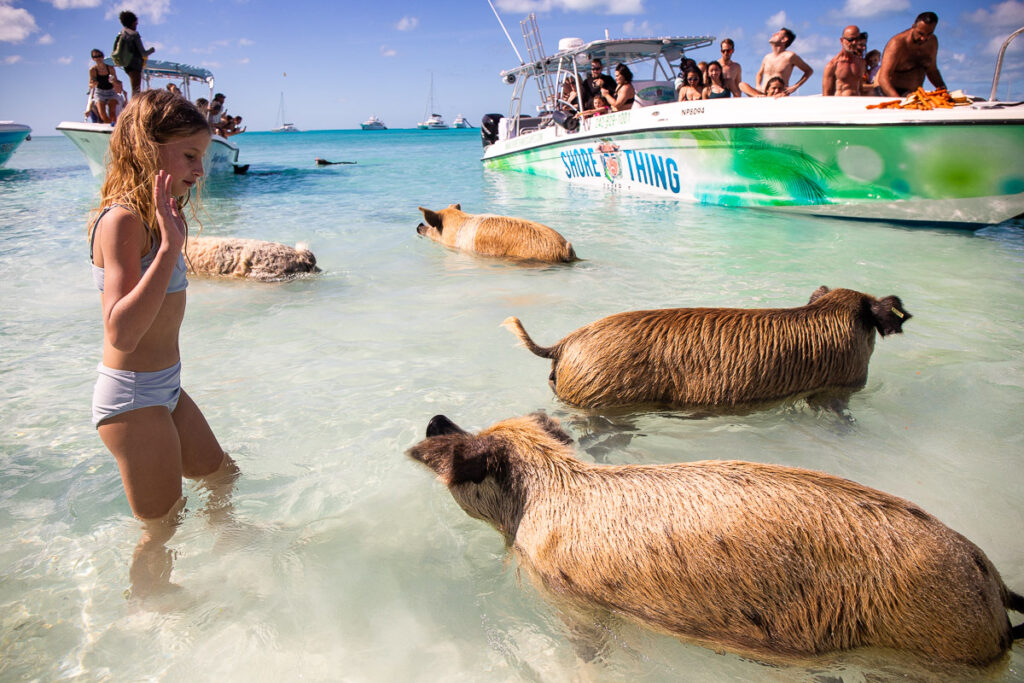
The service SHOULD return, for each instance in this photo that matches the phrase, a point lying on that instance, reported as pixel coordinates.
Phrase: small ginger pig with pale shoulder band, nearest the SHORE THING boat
(490, 235)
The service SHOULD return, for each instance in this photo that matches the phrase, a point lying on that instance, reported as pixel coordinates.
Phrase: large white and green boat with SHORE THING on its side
(827, 156)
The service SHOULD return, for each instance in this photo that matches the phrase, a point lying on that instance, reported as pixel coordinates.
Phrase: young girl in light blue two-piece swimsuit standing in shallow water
(146, 419)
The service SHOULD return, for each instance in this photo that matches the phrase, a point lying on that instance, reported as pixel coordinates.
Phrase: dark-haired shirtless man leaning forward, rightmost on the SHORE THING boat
(910, 57)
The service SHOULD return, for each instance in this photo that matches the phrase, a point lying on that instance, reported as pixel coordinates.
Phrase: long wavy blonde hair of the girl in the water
(152, 118)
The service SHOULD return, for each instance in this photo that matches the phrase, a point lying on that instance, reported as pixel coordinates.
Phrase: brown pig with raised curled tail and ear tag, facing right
(720, 357)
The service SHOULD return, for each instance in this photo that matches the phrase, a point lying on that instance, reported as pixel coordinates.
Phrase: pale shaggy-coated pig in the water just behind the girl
(255, 260)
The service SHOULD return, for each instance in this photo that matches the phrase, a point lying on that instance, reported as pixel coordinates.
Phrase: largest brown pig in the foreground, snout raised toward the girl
(759, 560)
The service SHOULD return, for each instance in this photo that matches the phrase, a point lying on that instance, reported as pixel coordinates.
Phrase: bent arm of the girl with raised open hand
(132, 300)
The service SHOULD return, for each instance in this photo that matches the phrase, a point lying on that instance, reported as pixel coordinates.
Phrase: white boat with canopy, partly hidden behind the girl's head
(94, 139)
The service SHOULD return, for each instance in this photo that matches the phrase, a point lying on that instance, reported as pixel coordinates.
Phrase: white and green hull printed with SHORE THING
(949, 168)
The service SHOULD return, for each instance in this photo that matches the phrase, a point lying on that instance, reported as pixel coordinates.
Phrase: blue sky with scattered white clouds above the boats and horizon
(338, 63)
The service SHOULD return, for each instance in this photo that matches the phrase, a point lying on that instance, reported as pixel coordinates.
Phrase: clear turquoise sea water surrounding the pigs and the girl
(345, 561)
